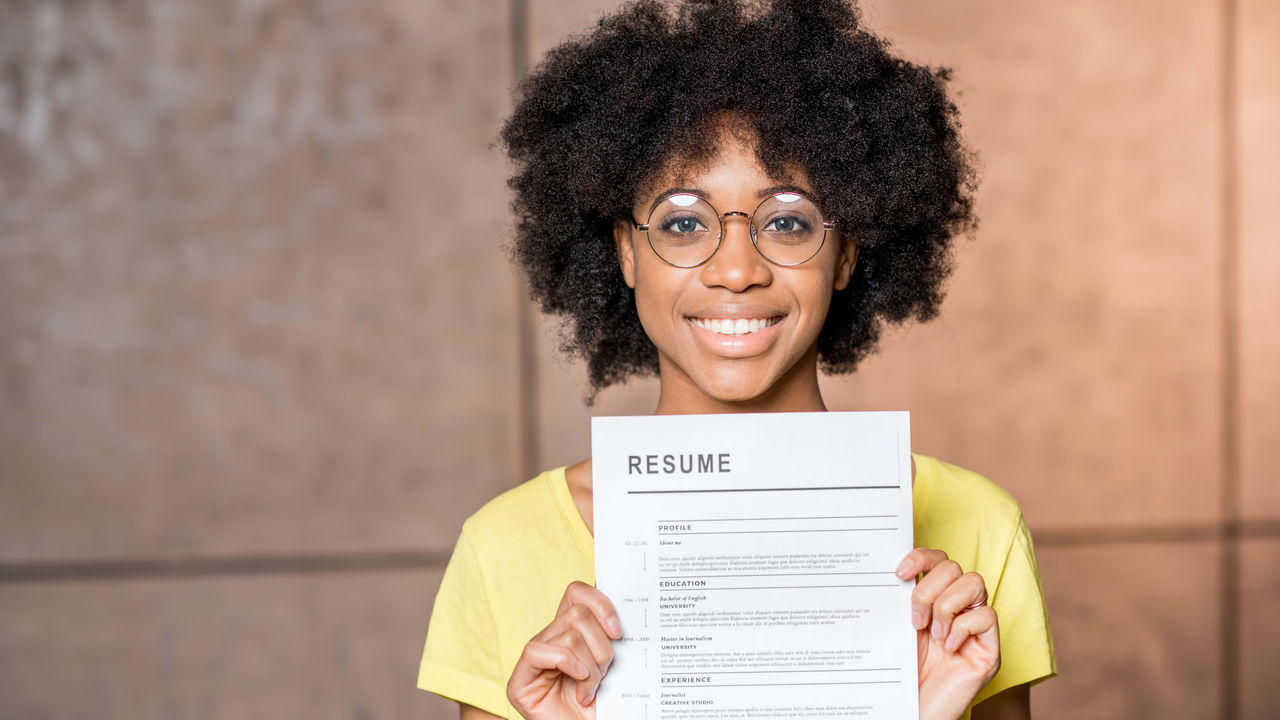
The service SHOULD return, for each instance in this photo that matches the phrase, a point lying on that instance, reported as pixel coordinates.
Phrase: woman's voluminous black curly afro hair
(607, 111)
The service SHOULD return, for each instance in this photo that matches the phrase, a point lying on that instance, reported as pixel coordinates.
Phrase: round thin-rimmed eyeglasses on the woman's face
(685, 231)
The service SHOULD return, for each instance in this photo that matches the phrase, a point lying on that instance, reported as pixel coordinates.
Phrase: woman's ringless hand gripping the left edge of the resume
(557, 676)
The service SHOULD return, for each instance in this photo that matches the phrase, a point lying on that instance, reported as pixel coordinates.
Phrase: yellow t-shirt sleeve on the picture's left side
(461, 658)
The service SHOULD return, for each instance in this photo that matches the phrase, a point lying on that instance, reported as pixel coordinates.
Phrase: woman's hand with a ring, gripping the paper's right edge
(958, 637)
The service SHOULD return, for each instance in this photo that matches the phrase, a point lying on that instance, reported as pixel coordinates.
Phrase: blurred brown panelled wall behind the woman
(262, 350)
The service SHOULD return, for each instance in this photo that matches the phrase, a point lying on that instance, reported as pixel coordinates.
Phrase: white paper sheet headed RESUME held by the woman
(752, 562)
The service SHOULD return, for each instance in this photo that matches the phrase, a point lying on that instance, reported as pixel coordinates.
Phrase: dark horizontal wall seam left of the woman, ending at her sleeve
(158, 568)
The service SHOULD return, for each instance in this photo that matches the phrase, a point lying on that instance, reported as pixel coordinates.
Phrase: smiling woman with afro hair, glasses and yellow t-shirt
(730, 197)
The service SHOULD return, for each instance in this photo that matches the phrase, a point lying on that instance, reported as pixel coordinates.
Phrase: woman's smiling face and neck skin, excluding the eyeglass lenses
(703, 371)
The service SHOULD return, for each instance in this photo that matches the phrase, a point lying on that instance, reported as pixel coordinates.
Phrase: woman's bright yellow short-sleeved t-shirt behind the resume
(516, 557)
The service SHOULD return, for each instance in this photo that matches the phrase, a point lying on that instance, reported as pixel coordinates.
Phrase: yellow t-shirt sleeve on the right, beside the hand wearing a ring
(1026, 641)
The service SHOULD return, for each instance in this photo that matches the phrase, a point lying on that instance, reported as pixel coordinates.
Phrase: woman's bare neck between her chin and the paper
(796, 393)
